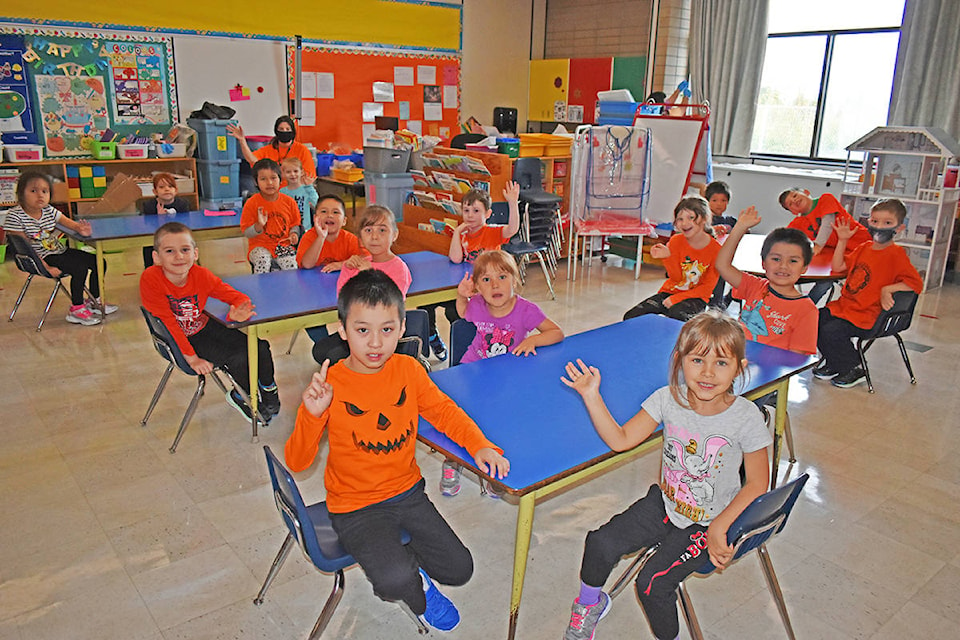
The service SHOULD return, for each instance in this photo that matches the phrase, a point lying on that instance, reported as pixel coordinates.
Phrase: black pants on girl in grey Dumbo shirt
(644, 524)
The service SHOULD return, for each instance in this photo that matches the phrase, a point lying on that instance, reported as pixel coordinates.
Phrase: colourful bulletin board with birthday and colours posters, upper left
(85, 82)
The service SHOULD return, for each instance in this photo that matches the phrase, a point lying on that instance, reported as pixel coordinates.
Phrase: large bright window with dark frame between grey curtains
(827, 75)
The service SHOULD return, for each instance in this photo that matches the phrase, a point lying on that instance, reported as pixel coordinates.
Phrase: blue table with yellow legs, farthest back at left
(124, 232)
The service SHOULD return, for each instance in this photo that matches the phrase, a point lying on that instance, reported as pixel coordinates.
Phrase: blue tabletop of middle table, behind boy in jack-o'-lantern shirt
(289, 294)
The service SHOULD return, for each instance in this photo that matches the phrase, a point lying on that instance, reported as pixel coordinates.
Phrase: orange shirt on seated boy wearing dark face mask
(869, 271)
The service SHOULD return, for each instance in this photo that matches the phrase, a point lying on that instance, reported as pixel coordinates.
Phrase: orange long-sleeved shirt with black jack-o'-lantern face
(368, 463)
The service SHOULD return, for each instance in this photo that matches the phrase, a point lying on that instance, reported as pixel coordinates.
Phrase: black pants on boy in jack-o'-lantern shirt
(372, 536)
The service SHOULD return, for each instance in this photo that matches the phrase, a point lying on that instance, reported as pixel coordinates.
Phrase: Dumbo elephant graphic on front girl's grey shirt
(687, 479)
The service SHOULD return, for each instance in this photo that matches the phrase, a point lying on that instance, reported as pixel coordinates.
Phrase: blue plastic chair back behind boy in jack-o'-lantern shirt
(309, 525)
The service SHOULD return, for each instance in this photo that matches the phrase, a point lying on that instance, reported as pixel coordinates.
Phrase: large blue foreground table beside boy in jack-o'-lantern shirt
(544, 428)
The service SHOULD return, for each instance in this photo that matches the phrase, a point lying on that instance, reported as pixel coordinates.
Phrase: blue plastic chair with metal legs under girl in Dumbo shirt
(762, 519)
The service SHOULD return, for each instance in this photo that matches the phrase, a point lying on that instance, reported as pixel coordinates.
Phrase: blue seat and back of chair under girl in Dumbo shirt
(762, 519)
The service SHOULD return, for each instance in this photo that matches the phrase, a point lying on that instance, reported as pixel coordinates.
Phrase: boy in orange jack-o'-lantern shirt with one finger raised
(374, 486)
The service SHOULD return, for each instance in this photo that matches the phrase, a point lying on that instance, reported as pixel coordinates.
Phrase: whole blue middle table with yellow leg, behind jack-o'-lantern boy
(288, 301)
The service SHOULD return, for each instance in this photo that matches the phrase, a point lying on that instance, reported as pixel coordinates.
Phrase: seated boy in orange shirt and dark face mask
(875, 270)
